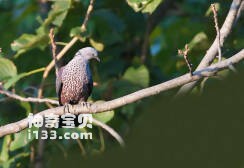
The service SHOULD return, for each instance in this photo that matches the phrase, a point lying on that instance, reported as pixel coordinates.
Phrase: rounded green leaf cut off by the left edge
(7, 69)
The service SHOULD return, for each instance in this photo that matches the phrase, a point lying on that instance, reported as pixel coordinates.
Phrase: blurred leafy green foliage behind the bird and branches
(118, 30)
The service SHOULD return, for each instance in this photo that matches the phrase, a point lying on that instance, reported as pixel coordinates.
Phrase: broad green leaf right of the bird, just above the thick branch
(138, 76)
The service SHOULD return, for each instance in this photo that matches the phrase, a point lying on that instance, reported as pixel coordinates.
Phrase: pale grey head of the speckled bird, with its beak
(88, 53)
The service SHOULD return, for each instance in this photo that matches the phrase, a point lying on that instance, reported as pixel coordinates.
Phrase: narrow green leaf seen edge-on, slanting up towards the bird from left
(16, 78)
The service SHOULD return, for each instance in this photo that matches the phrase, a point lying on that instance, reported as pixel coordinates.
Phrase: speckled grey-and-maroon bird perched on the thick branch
(74, 81)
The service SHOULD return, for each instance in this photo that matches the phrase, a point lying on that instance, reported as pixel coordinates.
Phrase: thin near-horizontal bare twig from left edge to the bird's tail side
(28, 99)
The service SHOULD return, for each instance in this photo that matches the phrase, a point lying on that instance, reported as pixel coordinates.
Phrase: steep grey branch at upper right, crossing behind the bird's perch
(213, 50)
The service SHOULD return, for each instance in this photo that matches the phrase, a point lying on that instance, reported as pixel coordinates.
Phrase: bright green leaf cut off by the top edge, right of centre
(145, 6)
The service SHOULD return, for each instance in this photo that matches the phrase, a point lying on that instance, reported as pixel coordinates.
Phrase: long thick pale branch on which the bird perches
(110, 105)
